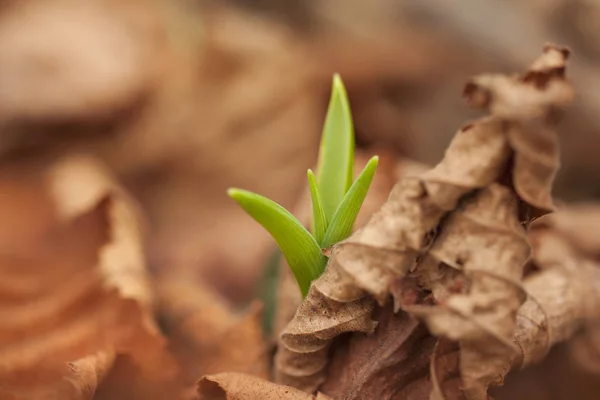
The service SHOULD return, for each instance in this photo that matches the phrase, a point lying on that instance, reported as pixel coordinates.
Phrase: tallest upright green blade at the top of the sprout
(336, 156)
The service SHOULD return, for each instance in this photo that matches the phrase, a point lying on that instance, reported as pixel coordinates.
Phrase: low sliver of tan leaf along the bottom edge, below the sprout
(233, 386)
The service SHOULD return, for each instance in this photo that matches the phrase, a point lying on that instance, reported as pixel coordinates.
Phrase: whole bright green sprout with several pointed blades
(336, 199)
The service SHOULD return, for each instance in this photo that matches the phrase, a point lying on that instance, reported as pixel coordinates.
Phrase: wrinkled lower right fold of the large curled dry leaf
(477, 307)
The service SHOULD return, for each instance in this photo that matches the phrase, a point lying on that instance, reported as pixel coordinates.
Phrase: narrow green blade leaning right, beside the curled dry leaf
(340, 226)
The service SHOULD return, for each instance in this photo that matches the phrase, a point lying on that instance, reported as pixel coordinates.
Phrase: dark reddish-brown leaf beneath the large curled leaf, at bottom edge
(392, 363)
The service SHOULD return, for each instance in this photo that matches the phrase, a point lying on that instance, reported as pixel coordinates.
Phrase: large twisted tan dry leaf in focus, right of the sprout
(493, 169)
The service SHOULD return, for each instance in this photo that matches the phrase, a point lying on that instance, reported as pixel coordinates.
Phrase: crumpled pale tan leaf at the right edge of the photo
(564, 295)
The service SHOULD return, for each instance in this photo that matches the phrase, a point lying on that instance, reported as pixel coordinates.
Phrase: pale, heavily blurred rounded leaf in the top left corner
(100, 62)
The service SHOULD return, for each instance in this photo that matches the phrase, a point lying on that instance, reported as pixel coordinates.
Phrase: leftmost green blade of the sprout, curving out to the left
(299, 248)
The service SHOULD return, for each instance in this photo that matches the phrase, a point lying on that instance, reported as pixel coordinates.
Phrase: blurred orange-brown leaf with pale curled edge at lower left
(74, 293)
